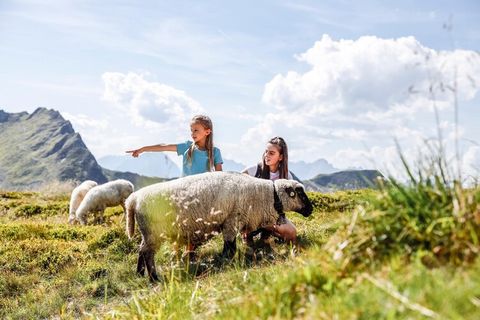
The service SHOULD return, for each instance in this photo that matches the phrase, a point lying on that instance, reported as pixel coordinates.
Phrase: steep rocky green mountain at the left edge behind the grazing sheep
(42, 147)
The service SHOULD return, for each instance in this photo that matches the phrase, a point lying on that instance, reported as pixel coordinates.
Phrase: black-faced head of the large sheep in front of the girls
(293, 197)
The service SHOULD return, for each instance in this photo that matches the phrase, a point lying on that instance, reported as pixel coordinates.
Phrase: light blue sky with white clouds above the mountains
(339, 80)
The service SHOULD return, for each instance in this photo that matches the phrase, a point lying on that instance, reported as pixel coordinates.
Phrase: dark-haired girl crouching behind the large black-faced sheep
(274, 166)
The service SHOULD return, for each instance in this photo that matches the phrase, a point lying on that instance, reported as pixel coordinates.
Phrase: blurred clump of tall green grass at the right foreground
(429, 215)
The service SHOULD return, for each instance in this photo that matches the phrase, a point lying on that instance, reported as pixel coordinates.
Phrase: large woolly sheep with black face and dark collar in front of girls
(193, 209)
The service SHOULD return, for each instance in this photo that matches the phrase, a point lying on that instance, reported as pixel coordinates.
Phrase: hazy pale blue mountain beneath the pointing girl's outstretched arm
(153, 164)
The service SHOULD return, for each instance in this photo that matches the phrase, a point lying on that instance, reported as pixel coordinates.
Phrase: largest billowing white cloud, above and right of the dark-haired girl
(357, 96)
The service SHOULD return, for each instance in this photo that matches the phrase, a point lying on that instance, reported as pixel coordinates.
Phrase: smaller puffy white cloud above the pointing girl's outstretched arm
(149, 103)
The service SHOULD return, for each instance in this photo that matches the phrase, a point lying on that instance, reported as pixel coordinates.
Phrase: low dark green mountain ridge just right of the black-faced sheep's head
(342, 180)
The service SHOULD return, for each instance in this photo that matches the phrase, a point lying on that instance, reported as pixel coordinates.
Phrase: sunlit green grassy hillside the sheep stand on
(347, 266)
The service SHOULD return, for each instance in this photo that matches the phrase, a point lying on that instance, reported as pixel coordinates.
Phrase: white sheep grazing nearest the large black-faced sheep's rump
(98, 198)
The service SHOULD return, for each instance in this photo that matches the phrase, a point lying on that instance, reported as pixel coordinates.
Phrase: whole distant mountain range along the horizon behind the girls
(42, 147)
